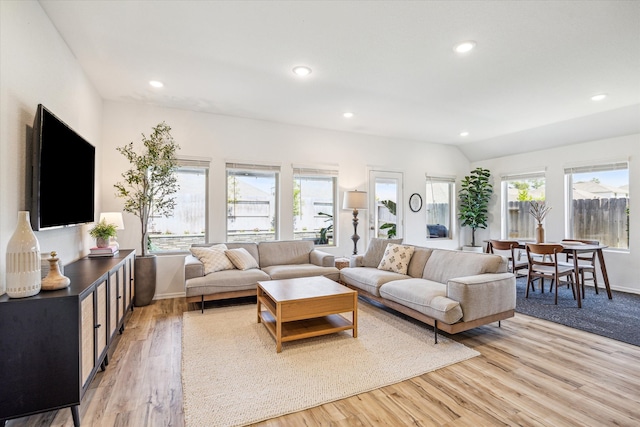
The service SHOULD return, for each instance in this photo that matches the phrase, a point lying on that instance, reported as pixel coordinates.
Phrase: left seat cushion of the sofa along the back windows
(225, 281)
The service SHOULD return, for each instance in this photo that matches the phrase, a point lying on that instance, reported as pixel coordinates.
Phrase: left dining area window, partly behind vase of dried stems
(517, 191)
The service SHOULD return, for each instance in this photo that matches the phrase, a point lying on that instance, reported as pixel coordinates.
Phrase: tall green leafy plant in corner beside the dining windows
(474, 196)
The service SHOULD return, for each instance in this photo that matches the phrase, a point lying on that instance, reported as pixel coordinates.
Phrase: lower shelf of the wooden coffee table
(306, 328)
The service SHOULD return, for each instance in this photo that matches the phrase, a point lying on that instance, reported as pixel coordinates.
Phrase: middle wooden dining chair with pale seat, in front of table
(541, 268)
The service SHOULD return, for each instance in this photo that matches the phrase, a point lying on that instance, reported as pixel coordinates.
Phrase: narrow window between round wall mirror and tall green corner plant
(438, 207)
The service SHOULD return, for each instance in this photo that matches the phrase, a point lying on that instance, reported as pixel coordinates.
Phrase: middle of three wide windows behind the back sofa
(252, 207)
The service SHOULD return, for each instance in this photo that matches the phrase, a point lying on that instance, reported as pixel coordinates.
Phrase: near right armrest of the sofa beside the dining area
(483, 295)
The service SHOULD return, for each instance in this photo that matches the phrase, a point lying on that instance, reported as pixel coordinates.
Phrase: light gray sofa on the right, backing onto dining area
(452, 291)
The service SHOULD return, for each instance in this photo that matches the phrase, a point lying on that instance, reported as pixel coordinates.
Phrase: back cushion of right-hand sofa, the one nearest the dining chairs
(444, 264)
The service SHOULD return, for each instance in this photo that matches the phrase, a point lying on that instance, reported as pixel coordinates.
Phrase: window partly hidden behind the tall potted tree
(188, 224)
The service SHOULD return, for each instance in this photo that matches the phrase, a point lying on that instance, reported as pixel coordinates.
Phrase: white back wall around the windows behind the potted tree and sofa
(223, 138)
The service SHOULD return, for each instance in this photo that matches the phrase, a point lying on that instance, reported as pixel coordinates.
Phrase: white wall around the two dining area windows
(623, 267)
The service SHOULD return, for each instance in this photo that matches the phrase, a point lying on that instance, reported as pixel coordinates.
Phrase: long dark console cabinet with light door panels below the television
(53, 343)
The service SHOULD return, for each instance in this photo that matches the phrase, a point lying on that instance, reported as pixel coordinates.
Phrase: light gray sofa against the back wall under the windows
(276, 260)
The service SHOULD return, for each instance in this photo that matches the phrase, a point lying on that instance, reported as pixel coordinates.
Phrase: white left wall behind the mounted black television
(37, 67)
